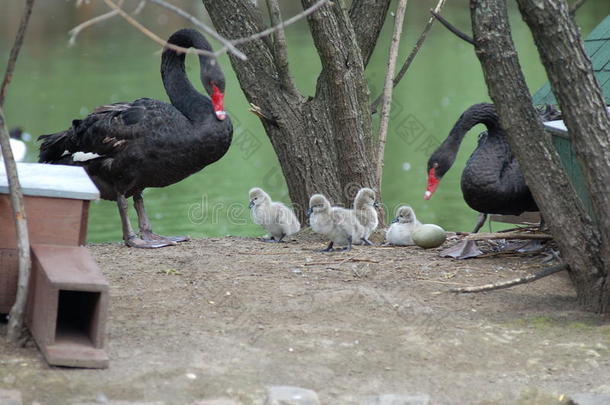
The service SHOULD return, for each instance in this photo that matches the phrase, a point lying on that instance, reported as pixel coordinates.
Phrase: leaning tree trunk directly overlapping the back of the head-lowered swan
(578, 237)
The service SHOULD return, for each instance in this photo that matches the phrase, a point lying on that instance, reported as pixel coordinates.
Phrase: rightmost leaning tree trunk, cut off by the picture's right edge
(571, 76)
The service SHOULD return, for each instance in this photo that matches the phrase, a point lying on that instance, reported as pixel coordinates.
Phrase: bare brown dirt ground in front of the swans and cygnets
(227, 317)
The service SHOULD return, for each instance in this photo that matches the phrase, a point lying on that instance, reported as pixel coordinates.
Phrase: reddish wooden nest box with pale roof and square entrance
(68, 295)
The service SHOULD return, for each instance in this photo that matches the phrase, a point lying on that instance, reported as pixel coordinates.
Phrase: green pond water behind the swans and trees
(54, 84)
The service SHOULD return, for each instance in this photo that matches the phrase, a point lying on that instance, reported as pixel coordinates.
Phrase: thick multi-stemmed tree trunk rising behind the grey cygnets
(323, 142)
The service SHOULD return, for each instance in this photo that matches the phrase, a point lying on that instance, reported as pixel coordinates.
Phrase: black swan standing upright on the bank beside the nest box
(127, 147)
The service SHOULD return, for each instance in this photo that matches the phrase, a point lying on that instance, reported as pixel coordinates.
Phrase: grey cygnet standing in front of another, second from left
(340, 225)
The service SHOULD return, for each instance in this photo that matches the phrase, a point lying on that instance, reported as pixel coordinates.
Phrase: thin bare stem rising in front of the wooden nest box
(17, 313)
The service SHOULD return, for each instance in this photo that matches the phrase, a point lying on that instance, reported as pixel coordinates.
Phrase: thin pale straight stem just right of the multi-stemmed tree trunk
(387, 91)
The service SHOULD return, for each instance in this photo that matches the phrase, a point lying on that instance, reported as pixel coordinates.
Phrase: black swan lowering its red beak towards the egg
(492, 182)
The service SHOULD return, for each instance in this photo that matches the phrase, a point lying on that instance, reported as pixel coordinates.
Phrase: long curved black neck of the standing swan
(181, 92)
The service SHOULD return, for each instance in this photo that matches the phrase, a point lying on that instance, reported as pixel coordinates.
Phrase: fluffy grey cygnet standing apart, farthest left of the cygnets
(275, 217)
